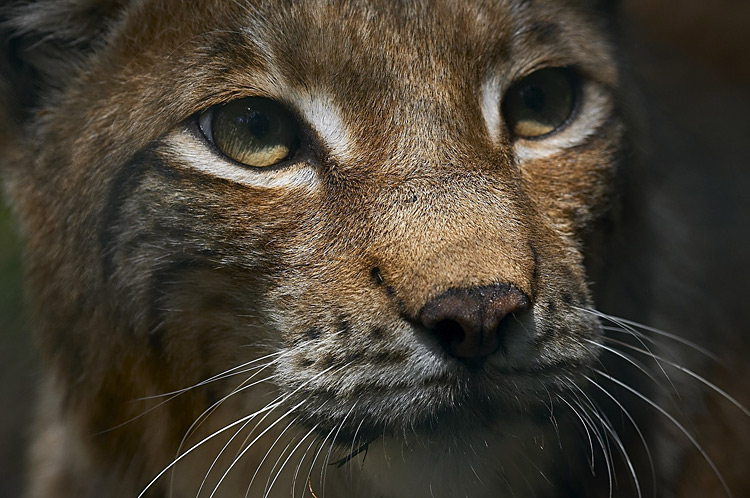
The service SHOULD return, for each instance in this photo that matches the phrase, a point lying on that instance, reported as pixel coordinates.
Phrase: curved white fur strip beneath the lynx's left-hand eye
(185, 149)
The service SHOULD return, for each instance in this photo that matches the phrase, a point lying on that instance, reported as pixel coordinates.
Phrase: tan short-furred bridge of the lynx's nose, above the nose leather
(460, 231)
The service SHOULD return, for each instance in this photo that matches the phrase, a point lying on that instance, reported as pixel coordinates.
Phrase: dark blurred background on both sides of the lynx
(691, 61)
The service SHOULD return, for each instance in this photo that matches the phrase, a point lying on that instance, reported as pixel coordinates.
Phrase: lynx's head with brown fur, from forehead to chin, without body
(385, 206)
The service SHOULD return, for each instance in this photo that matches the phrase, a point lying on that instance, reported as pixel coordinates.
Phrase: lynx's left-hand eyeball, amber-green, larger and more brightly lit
(254, 131)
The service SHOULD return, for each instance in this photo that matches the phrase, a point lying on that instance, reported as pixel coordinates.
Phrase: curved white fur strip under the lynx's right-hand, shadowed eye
(593, 110)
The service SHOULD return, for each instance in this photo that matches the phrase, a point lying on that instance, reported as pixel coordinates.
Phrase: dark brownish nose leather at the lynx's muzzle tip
(468, 321)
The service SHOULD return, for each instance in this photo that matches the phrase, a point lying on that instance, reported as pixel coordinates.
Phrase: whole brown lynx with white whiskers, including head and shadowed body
(342, 249)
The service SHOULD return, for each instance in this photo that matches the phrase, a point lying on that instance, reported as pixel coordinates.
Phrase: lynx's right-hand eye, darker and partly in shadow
(540, 103)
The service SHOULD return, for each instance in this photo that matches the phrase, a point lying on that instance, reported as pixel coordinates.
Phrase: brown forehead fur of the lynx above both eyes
(383, 65)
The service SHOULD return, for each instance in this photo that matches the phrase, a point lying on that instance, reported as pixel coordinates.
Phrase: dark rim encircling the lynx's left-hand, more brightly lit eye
(201, 121)
